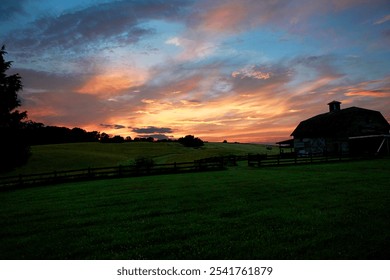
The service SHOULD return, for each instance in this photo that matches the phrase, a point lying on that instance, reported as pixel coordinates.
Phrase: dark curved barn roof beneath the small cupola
(347, 122)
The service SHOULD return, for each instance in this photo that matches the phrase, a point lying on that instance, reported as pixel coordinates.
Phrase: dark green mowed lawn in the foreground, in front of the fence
(323, 211)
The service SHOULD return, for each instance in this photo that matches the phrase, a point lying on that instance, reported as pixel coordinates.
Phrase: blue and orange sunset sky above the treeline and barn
(235, 70)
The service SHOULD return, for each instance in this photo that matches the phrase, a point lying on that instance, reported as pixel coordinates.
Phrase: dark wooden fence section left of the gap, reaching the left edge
(21, 181)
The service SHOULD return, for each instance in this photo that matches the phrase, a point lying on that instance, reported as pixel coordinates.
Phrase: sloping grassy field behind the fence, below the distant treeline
(49, 158)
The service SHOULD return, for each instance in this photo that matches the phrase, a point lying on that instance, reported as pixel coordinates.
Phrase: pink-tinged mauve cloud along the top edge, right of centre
(233, 17)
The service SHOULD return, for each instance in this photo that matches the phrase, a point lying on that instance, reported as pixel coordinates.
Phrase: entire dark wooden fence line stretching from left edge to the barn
(207, 164)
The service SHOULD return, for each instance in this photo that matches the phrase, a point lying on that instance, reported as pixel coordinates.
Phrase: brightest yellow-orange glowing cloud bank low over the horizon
(231, 116)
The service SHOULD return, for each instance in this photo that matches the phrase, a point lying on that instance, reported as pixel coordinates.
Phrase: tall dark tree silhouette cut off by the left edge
(14, 148)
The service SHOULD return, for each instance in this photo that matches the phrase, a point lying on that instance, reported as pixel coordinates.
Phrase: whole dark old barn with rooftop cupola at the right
(351, 130)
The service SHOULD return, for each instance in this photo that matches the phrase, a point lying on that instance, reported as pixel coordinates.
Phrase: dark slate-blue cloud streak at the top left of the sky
(119, 22)
